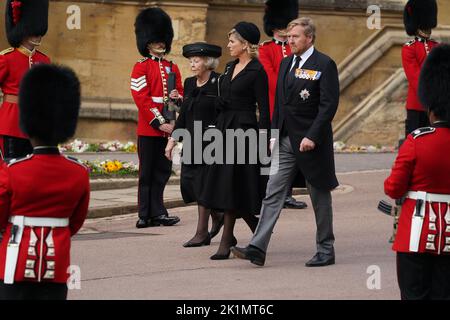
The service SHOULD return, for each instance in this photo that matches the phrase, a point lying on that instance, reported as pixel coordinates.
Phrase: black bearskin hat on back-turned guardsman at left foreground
(49, 103)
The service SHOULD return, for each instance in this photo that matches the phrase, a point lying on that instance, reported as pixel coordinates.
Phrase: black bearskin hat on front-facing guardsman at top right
(420, 14)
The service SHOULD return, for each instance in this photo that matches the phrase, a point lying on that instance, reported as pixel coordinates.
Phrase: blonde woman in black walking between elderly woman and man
(235, 187)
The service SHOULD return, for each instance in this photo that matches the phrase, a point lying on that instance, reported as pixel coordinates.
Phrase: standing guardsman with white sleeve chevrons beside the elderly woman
(150, 90)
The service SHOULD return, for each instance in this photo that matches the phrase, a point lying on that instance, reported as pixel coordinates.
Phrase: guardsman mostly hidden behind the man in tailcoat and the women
(278, 14)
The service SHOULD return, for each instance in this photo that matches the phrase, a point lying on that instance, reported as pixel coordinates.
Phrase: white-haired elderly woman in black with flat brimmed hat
(200, 92)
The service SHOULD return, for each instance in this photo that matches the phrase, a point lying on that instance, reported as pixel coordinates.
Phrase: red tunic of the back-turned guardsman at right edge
(423, 164)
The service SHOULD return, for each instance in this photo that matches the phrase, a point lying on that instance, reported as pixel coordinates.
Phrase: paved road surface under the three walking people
(118, 261)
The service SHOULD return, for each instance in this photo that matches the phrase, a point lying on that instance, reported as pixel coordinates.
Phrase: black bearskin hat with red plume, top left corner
(25, 18)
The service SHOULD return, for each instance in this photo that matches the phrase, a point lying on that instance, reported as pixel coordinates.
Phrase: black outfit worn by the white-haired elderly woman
(198, 105)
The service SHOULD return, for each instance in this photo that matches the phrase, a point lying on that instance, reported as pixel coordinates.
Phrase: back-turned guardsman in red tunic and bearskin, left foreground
(44, 196)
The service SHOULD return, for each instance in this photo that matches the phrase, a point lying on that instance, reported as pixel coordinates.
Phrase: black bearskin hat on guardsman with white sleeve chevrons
(153, 25)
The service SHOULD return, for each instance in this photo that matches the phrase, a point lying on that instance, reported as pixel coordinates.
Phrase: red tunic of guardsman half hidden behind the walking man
(270, 55)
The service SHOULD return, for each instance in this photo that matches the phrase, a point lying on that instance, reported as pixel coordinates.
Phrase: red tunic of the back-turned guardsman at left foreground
(45, 184)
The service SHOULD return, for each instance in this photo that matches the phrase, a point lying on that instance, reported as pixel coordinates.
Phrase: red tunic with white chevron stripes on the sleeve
(149, 88)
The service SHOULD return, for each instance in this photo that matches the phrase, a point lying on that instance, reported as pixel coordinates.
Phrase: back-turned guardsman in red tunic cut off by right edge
(421, 174)
